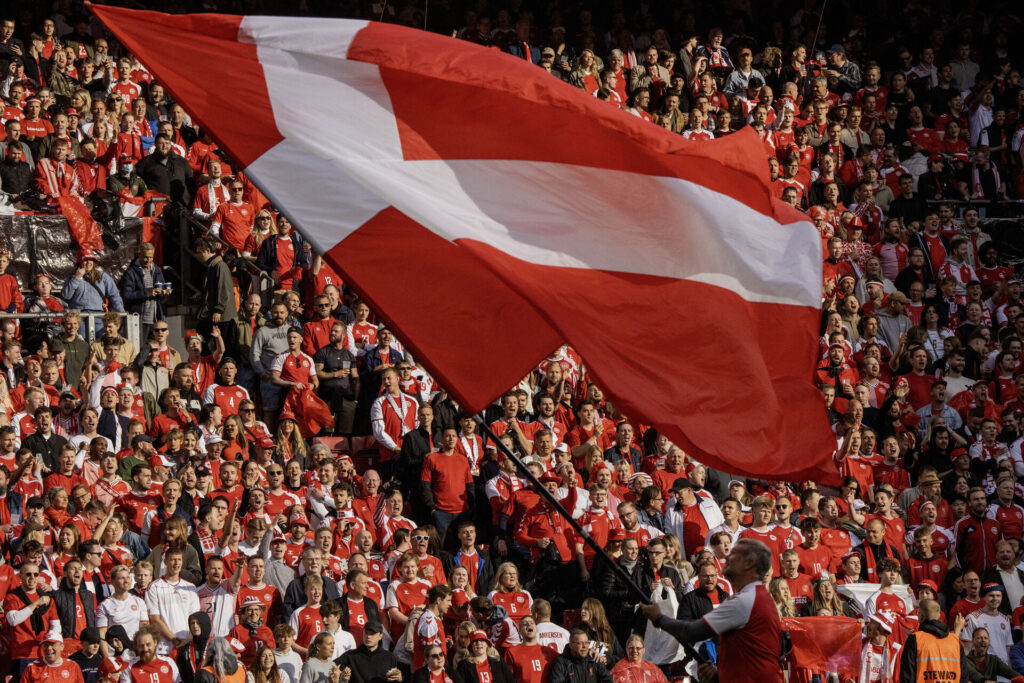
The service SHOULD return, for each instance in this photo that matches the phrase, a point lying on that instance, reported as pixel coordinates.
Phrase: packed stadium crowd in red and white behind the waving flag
(179, 513)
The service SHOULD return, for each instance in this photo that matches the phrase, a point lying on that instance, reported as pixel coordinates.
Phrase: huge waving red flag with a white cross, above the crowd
(491, 212)
